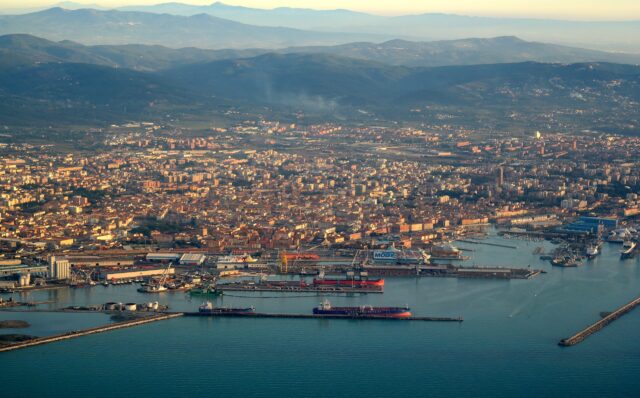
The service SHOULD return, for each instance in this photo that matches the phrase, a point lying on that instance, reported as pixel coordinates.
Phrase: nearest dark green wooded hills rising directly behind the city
(65, 83)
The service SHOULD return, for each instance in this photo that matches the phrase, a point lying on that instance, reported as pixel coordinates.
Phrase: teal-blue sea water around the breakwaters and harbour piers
(507, 345)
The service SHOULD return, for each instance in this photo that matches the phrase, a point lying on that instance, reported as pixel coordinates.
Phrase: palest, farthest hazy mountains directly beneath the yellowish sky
(609, 36)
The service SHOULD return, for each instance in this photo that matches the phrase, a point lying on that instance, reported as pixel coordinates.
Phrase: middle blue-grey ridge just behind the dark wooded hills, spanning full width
(26, 49)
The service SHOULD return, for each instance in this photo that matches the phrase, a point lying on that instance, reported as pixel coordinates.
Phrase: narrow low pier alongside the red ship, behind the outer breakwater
(296, 287)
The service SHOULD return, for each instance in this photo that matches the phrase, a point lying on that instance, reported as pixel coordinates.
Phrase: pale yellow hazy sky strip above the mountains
(561, 9)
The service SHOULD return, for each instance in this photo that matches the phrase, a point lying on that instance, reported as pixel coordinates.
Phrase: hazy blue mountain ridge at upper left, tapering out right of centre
(202, 30)
